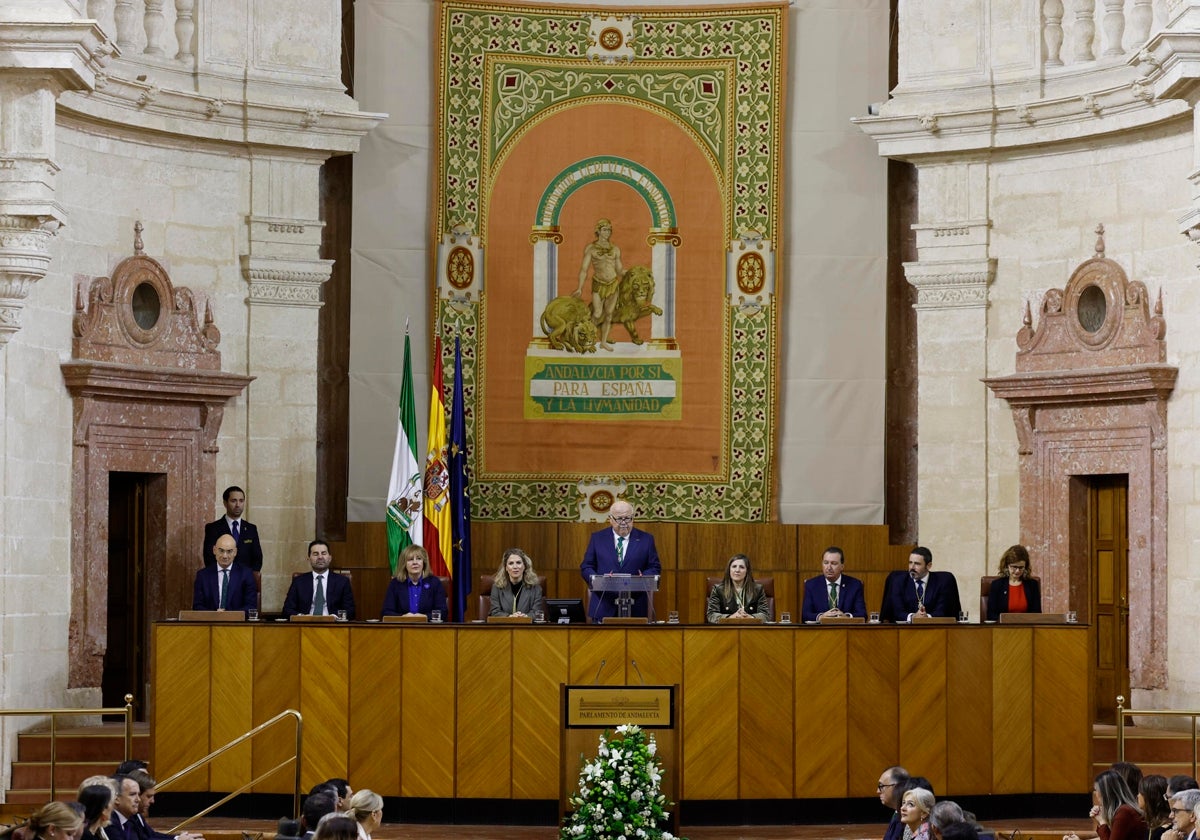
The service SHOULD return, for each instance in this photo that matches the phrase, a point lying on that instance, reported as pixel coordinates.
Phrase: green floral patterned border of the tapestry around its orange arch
(719, 74)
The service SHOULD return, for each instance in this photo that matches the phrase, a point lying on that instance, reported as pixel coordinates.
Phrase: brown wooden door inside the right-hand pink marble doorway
(1108, 554)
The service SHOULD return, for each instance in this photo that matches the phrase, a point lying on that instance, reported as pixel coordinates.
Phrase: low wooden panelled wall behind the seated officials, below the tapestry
(689, 551)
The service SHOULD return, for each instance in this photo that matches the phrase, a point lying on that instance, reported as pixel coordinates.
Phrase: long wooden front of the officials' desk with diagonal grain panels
(472, 712)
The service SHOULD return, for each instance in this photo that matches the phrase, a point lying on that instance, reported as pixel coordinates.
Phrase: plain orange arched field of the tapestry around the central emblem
(509, 445)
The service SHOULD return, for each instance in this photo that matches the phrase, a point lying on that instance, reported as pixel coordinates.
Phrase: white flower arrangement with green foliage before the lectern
(620, 793)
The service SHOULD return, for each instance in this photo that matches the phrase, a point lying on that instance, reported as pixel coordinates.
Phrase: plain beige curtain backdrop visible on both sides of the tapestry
(831, 417)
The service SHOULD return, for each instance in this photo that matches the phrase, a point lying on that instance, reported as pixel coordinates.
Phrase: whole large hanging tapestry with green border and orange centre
(607, 219)
